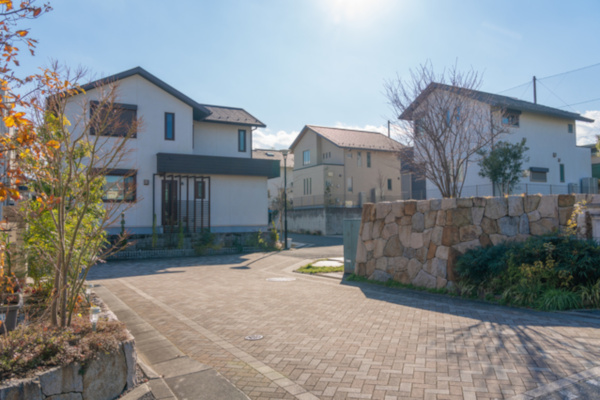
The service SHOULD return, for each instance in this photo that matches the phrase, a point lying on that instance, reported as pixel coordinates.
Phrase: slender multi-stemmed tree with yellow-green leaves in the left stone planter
(69, 218)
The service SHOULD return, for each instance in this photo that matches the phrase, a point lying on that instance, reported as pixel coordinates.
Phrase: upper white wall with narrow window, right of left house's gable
(211, 139)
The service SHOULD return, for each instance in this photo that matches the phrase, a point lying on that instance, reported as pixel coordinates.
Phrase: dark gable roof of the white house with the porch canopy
(202, 112)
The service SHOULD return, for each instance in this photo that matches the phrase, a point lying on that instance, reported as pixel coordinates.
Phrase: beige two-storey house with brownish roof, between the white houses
(345, 168)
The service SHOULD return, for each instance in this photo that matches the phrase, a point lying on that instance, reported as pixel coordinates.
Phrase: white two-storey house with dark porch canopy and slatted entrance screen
(190, 164)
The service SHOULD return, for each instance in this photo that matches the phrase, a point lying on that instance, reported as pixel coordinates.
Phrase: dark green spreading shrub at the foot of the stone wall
(530, 273)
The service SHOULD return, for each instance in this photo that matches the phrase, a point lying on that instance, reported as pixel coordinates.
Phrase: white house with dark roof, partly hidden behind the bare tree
(555, 163)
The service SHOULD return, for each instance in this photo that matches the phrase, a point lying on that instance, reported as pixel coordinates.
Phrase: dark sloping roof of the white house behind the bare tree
(495, 100)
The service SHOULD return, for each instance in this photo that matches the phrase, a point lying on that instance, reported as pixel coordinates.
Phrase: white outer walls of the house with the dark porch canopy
(241, 205)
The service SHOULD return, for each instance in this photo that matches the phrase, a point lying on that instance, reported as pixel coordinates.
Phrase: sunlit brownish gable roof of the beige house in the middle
(352, 138)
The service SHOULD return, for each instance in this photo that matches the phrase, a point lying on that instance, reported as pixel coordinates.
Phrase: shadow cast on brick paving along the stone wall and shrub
(525, 335)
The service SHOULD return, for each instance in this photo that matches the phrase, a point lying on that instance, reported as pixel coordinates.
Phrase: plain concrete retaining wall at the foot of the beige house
(327, 221)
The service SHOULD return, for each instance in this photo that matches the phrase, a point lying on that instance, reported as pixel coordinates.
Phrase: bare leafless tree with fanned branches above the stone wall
(445, 121)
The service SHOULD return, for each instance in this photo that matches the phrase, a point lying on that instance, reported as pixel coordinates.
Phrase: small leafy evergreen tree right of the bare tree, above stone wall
(502, 164)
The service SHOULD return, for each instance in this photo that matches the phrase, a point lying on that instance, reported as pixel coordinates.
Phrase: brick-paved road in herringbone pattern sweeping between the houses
(330, 340)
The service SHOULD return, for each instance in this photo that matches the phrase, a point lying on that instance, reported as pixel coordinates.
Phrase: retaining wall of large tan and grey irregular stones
(418, 242)
